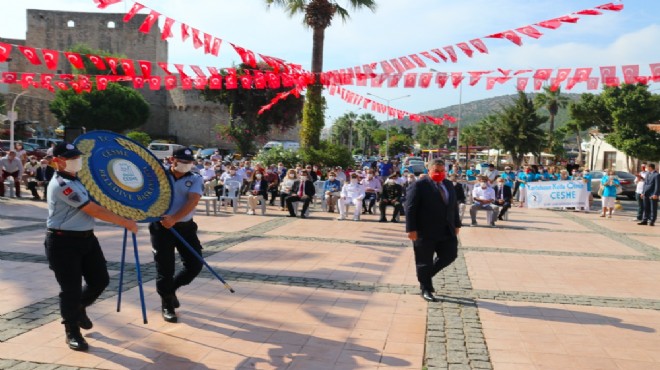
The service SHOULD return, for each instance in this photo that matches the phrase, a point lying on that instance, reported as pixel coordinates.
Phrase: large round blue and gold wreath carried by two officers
(123, 176)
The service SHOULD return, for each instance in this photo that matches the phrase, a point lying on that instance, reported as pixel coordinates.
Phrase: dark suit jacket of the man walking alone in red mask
(424, 207)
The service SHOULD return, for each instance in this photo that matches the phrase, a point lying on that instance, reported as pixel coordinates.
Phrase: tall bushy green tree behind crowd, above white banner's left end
(517, 129)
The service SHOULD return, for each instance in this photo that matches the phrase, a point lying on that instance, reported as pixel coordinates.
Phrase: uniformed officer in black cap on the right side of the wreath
(188, 188)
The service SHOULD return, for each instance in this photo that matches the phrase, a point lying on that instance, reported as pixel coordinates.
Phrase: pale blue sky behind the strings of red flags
(399, 28)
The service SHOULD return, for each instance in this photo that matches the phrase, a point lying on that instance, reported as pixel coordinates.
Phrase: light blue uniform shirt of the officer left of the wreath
(66, 196)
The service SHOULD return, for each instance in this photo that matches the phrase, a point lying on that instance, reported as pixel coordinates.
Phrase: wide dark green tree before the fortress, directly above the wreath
(117, 108)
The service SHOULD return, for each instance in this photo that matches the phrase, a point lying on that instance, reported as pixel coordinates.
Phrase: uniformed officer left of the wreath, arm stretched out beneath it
(72, 250)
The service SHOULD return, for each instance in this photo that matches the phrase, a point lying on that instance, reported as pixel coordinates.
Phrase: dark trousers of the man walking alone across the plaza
(431, 256)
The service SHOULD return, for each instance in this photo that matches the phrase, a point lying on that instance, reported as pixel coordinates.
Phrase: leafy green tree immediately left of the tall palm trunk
(245, 123)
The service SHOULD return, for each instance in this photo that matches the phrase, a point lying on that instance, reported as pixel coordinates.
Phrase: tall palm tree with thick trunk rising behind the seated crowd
(318, 16)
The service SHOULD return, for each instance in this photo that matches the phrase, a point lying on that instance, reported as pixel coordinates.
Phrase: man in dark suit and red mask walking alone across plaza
(432, 223)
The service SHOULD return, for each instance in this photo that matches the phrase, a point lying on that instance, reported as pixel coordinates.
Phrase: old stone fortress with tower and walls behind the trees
(180, 115)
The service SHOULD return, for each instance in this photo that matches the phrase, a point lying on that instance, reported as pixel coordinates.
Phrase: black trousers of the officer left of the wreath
(73, 259)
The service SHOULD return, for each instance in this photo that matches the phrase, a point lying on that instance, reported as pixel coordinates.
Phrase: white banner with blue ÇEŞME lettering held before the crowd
(555, 194)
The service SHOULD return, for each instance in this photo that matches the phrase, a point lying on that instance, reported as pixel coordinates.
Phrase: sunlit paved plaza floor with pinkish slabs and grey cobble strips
(544, 290)
